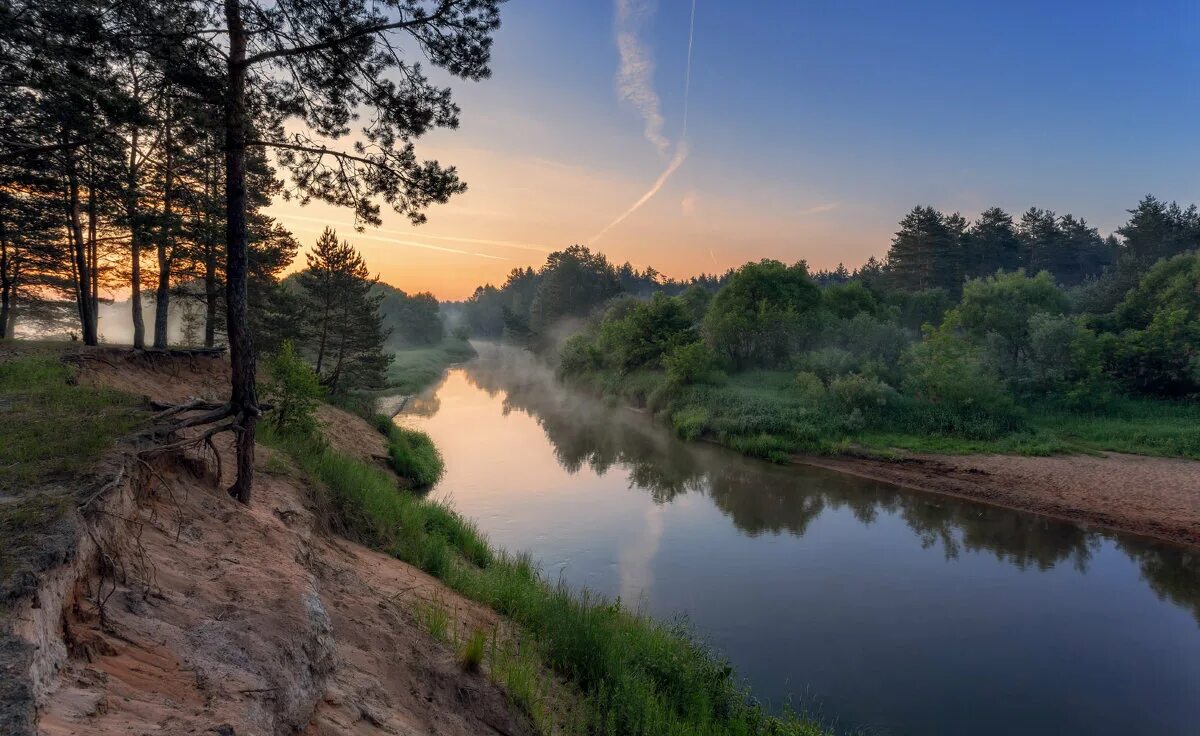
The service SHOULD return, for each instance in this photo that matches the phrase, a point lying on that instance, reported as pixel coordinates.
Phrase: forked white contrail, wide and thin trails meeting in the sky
(635, 86)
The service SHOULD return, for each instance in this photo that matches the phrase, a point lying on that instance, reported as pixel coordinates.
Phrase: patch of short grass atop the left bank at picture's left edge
(53, 428)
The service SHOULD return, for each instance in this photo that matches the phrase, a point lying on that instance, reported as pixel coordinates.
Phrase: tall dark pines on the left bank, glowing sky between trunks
(141, 141)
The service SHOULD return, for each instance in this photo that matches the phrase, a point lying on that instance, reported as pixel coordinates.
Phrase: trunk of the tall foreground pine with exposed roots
(243, 400)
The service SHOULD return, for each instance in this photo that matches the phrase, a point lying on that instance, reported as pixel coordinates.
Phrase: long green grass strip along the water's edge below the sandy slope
(637, 677)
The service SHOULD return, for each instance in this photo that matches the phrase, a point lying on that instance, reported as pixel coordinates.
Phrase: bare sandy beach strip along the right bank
(1155, 498)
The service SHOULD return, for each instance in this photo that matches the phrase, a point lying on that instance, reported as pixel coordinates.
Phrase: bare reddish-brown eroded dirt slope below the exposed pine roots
(254, 621)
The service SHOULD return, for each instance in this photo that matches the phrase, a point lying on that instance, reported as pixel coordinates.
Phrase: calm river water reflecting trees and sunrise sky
(881, 609)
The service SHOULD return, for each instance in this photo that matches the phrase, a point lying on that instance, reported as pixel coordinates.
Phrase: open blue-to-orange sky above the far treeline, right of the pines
(812, 129)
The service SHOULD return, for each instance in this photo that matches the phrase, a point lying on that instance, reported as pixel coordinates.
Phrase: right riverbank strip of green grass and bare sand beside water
(1133, 471)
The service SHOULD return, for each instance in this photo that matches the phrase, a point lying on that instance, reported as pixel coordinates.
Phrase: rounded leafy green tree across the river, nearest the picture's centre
(763, 314)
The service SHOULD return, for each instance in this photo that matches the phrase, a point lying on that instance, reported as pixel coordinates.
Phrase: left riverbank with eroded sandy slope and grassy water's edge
(424, 629)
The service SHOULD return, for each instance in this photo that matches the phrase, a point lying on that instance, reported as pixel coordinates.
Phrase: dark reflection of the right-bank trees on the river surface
(766, 499)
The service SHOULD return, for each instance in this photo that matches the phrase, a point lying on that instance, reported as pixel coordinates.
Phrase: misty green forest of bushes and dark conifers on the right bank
(1034, 336)
